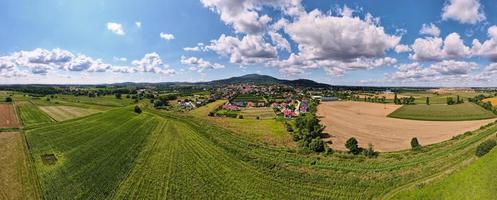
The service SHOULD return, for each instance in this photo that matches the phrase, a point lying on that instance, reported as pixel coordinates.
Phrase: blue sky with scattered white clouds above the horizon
(451, 43)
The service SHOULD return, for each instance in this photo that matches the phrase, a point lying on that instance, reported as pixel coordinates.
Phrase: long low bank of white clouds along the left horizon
(42, 61)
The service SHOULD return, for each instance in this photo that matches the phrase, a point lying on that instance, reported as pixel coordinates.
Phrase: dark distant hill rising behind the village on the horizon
(265, 79)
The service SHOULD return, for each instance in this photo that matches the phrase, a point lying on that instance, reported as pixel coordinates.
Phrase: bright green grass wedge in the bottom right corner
(474, 182)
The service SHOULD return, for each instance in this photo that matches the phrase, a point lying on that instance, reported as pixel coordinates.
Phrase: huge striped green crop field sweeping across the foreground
(120, 154)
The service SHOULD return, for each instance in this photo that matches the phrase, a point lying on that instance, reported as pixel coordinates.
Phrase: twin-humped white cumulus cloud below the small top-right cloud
(436, 49)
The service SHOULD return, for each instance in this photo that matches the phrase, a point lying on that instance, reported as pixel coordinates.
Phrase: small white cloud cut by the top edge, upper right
(463, 11)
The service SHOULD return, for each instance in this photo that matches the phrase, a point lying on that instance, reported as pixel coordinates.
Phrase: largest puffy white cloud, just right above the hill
(320, 36)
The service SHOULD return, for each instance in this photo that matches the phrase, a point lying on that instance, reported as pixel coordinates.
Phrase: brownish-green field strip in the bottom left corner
(17, 180)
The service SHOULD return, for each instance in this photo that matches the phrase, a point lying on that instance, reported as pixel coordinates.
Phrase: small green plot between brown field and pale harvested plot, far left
(31, 115)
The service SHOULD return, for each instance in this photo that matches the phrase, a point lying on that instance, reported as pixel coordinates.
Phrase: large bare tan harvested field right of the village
(368, 122)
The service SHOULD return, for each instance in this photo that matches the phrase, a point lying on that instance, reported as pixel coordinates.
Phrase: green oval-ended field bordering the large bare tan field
(440, 112)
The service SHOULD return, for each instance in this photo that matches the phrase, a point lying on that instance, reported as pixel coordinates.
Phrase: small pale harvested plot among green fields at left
(62, 113)
